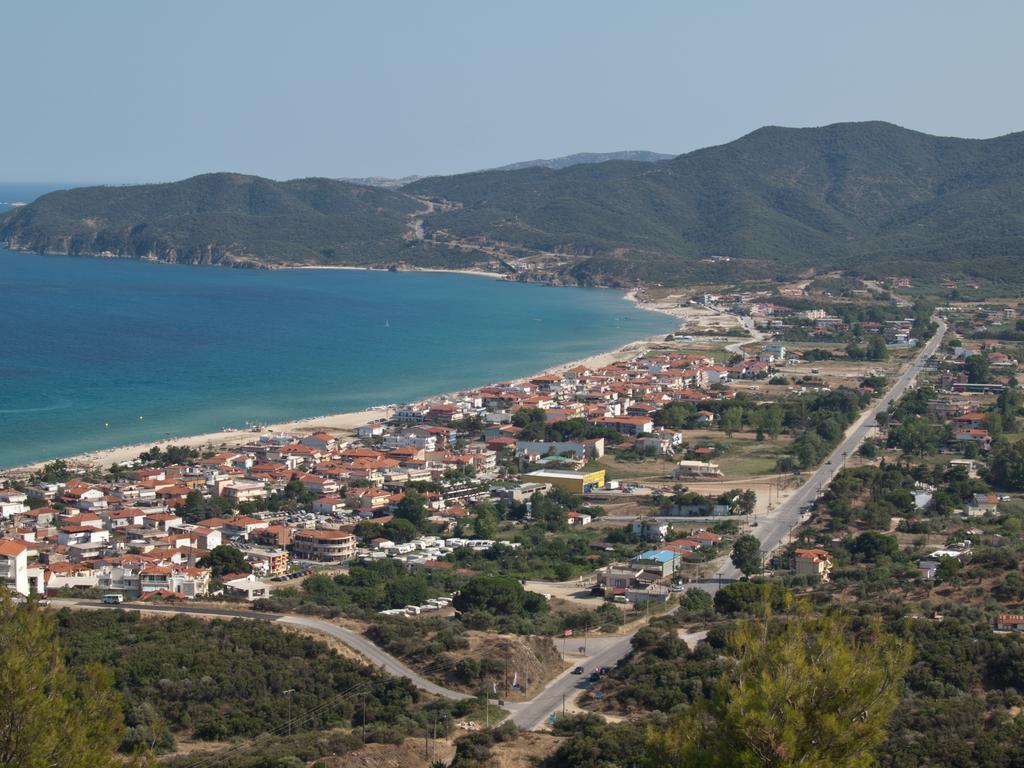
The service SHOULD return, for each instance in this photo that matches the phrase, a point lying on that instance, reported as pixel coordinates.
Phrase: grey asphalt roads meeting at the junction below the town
(604, 652)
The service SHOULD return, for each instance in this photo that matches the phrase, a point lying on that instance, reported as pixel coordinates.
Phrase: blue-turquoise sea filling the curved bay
(97, 354)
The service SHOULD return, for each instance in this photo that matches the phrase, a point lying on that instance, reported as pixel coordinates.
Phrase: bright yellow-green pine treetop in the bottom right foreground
(804, 691)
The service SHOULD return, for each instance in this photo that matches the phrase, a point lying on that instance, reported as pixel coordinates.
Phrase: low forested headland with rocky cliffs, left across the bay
(219, 219)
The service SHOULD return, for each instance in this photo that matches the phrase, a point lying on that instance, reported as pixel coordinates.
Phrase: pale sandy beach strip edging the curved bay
(347, 423)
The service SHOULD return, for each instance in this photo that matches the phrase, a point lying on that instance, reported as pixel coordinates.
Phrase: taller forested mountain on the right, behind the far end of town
(870, 197)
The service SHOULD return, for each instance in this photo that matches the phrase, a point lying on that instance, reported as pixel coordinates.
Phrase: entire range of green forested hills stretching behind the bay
(870, 198)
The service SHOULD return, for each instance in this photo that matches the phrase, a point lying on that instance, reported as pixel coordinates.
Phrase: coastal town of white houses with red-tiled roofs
(291, 504)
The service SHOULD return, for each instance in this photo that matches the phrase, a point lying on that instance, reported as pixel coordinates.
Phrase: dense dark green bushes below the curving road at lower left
(222, 679)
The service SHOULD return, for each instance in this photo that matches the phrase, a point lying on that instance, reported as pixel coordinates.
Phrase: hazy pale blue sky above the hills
(130, 92)
